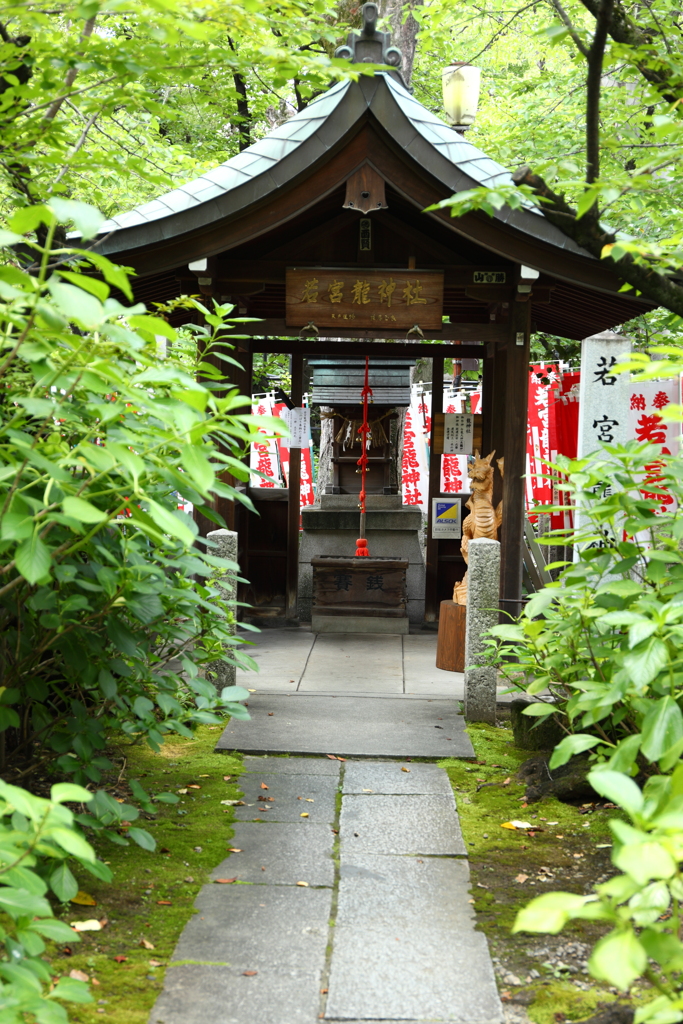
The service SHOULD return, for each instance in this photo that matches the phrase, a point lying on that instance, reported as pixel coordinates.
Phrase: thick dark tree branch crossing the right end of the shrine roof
(589, 234)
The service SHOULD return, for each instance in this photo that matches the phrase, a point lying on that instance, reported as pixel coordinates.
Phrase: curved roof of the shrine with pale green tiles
(294, 147)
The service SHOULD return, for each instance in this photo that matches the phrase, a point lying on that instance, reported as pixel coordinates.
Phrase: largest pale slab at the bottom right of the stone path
(405, 946)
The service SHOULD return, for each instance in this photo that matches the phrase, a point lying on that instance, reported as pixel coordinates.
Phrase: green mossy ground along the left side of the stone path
(153, 893)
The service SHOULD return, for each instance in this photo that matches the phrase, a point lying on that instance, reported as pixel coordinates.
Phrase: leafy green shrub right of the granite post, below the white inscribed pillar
(607, 639)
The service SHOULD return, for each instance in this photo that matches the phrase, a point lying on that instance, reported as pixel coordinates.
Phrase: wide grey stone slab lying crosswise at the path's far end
(371, 728)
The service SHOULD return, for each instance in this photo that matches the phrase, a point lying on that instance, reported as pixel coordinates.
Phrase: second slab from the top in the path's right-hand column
(403, 825)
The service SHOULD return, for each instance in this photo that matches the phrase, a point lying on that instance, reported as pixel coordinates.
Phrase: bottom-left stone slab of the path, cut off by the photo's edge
(218, 996)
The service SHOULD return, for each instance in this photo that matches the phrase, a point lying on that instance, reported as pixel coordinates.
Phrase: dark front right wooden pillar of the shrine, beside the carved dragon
(516, 456)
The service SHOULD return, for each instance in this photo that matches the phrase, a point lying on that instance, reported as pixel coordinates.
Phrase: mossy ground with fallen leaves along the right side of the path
(509, 868)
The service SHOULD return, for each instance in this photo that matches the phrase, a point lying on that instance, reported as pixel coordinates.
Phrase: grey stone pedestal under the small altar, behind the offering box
(393, 531)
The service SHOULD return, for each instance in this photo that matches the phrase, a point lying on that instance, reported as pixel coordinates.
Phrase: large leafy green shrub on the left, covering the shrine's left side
(104, 632)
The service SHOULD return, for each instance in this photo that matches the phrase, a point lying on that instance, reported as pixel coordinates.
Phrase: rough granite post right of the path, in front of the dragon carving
(483, 613)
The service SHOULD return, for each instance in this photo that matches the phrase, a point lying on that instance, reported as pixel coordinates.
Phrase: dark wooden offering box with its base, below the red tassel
(360, 595)
